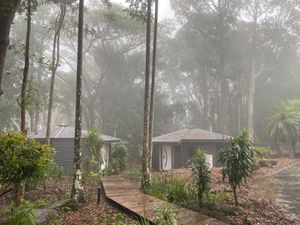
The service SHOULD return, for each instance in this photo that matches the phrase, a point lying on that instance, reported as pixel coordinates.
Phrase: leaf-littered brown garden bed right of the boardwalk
(254, 208)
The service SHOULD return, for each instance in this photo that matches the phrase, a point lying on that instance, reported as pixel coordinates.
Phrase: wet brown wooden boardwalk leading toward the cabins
(126, 194)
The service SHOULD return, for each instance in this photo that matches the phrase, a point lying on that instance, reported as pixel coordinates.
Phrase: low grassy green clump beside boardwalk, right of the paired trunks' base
(172, 189)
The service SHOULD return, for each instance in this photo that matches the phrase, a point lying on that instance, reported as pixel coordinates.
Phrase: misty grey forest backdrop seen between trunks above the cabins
(219, 74)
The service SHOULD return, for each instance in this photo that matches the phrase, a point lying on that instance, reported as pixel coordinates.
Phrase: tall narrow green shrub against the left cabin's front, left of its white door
(95, 144)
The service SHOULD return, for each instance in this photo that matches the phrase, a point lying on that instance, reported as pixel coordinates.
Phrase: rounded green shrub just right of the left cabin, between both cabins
(119, 158)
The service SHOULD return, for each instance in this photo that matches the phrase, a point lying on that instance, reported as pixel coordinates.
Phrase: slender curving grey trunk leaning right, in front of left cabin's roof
(55, 62)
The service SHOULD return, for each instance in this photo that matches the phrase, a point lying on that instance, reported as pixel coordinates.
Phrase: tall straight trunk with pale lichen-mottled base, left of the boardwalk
(77, 195)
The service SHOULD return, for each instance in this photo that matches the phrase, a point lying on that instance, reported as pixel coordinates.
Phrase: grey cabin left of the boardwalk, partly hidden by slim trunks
(62, 140)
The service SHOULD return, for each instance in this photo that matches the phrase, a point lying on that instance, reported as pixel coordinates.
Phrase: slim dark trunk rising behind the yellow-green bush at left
(25, 71)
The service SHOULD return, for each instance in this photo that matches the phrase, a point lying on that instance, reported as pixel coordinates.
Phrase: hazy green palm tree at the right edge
(284, 123)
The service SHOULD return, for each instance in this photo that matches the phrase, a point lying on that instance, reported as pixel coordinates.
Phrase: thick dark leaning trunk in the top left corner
(8, 9)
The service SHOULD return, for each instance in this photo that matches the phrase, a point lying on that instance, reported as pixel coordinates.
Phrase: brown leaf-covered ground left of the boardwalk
(88, 214)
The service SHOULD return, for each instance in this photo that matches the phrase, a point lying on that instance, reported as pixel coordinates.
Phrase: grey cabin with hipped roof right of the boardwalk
(175, 150)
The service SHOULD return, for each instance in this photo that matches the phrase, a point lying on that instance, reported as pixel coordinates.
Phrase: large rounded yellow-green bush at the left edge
(22, 158)
